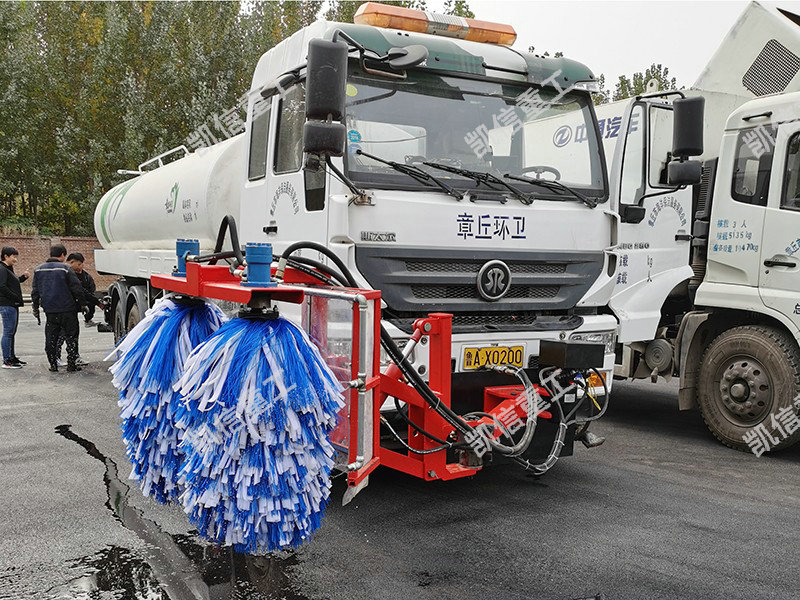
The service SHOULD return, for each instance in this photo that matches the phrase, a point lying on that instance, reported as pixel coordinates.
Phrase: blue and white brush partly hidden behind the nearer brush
(149, 362)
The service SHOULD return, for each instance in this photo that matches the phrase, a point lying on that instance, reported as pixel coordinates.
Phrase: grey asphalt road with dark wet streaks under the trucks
(659, 511)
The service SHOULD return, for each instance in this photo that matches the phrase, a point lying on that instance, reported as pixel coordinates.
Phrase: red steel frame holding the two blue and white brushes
(213, 281)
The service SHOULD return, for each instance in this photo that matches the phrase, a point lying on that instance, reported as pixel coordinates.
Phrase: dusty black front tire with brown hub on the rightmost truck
(749, 374)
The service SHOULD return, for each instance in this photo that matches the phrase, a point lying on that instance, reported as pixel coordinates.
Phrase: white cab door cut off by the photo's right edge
(779, 280)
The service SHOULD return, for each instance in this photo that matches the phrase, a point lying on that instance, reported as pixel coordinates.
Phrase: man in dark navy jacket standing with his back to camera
(59, 292)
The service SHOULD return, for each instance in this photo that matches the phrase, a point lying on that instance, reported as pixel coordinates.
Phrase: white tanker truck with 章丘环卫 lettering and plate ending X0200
(418, 206)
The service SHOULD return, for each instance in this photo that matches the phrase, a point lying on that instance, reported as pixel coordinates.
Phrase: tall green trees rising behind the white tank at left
(87, 88)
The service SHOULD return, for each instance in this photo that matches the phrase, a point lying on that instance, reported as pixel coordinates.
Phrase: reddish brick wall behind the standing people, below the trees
(34, 250)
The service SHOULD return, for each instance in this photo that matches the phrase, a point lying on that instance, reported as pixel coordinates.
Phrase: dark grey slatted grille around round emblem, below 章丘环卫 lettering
(415, 281)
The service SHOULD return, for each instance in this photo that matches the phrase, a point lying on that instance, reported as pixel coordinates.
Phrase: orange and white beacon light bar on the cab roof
(409, 19)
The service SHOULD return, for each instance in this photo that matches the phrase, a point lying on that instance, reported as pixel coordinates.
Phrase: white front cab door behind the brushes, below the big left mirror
(296, 198)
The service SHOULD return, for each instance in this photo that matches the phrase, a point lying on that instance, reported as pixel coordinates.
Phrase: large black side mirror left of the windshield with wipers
(326, 78)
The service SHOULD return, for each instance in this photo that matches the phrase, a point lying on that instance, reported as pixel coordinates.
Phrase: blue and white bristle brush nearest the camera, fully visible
(260, 404)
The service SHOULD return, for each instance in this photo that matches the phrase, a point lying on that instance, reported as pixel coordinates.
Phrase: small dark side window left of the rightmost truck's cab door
(752, 164)
